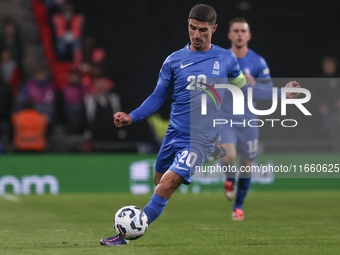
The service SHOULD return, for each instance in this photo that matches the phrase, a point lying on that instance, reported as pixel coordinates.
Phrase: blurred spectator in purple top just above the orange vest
(41, 90)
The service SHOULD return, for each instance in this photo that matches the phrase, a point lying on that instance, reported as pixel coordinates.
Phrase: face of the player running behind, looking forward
(239, 34)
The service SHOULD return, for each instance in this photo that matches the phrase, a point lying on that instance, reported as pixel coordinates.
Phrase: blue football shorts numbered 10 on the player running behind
(244, 138)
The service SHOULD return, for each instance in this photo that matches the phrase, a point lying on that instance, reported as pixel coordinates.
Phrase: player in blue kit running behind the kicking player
(239, 138)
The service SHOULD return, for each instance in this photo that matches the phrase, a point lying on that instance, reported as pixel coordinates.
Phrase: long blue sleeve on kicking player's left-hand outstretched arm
(156, 99)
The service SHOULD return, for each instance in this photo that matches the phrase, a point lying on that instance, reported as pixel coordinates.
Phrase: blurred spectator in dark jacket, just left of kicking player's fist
(100, 108)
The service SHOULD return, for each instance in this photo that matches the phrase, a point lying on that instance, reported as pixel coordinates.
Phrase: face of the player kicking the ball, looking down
(200, 34)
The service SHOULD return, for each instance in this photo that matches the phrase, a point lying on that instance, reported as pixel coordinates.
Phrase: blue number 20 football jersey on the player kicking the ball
(192, 74)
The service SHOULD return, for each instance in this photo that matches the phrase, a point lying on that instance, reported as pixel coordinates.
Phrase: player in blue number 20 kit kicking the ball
(191, 136)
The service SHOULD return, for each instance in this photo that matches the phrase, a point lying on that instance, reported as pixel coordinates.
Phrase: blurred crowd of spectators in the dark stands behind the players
(38, 114)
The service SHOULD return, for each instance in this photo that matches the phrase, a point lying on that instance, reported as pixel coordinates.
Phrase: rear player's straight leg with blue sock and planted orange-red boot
(243, 185)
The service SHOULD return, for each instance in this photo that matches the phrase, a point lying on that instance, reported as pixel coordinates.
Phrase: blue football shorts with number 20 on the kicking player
(182, 154)
